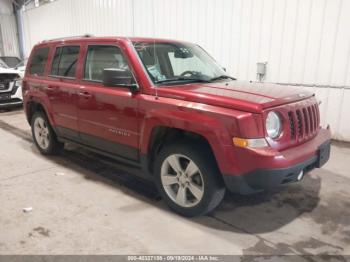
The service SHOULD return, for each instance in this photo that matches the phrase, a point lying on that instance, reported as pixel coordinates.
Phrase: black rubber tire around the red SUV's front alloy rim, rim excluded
(214, 188)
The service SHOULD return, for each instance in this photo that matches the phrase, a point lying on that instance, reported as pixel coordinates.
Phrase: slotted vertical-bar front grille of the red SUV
(304, 121)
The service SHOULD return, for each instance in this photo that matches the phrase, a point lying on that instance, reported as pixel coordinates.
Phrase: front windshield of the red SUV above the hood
(178, 62)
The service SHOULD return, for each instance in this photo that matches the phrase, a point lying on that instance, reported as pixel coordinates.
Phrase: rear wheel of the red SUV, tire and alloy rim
(44, 136)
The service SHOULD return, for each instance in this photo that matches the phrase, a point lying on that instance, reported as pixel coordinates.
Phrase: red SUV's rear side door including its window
(62, 89)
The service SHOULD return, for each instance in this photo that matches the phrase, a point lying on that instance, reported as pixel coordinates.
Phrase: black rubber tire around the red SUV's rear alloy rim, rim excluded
(54, 146)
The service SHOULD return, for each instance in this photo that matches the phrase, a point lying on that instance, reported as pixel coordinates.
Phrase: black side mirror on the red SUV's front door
(119, 77)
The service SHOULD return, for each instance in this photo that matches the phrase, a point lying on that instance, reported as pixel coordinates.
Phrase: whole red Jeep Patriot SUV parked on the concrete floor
(168, 108)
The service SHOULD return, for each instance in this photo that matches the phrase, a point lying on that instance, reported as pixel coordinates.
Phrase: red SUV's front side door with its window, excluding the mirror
(107, 116)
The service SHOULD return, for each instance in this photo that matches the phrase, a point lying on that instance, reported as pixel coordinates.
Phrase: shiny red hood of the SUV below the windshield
(246, 96)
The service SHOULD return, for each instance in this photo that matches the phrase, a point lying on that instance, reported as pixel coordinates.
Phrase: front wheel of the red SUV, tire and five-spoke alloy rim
(196, 194)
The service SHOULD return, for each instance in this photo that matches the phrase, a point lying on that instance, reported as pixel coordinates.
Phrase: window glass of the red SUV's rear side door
(65, 61)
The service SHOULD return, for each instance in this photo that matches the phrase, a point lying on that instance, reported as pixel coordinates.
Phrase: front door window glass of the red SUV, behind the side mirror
(101, 57)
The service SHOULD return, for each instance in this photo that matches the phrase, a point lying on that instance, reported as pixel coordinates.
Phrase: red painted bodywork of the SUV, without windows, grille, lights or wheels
(217, 111)
